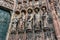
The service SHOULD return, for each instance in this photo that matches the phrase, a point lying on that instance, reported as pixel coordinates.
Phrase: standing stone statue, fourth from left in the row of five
(37, 17)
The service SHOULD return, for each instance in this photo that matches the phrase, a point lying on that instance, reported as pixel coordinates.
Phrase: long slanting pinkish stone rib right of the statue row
(55, 20)
